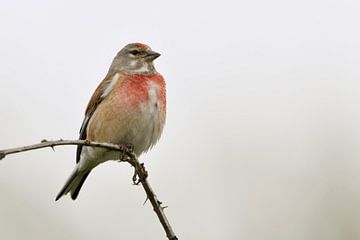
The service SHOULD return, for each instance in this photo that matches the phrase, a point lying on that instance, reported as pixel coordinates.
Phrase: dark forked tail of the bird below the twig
(73, 184)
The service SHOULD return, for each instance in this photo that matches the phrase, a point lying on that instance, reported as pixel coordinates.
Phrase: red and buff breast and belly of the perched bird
(134, 98)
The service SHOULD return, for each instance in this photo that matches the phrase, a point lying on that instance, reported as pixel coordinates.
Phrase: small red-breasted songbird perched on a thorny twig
(128, 107)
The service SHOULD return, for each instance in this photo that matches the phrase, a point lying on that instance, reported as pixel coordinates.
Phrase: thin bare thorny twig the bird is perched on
(132, 159)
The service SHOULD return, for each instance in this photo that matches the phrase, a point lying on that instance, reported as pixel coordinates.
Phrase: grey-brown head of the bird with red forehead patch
(135, 58)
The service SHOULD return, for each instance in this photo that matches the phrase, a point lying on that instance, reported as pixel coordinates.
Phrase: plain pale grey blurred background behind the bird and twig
(262, 134)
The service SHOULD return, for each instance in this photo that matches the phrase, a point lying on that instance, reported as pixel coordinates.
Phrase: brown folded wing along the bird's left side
(101, 92)
